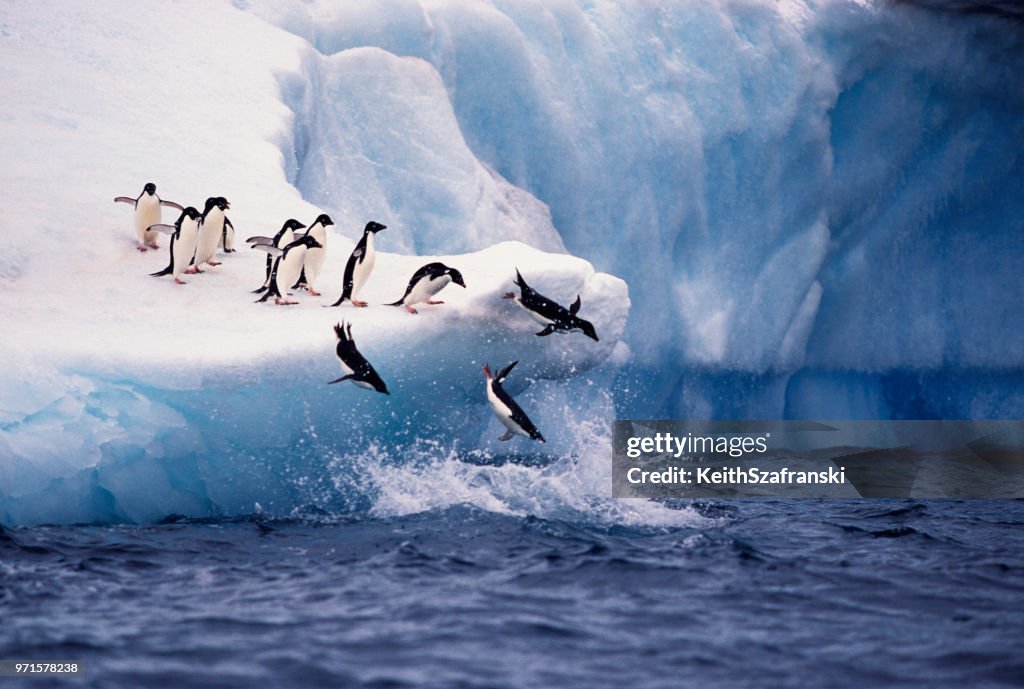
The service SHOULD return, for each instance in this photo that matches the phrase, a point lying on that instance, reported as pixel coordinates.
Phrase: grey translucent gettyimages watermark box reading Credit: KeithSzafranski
(808, 459)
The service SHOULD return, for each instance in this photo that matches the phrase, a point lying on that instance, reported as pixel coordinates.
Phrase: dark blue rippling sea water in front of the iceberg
(743, 594)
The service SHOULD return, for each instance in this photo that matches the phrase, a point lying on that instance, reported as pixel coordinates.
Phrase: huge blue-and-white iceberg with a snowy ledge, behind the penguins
(815, 205)
